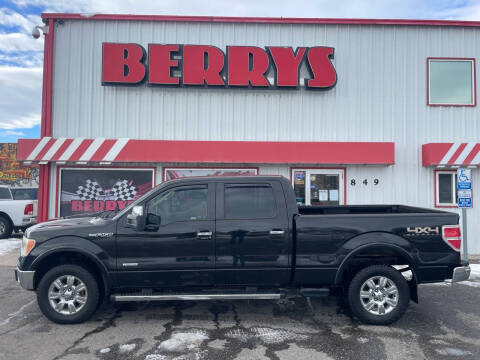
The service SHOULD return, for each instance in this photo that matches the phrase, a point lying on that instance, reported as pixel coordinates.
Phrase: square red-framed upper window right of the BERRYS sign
(451, 82)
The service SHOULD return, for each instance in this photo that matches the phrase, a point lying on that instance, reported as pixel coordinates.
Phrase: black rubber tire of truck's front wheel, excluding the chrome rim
(88, 308)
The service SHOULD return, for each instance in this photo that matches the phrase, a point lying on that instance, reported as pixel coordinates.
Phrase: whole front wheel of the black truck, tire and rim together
(68, 294)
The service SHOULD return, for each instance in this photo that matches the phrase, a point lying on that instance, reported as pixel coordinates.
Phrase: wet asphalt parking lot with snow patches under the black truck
(445, 325)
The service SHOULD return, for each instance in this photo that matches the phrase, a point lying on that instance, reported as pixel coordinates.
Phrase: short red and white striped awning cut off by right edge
(451, 154)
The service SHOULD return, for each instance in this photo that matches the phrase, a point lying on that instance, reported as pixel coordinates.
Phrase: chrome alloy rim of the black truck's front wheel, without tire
(67, 294)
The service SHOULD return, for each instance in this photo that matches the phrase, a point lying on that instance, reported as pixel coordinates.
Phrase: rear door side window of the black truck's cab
(249, 201)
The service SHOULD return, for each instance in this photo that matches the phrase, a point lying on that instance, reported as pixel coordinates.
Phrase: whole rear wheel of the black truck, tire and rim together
(378, 295)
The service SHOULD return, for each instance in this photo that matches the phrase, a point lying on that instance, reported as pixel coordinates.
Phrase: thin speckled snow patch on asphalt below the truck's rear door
(267, 335)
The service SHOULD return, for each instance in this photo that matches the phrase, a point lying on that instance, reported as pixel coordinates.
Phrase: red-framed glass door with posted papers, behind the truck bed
(318, 186)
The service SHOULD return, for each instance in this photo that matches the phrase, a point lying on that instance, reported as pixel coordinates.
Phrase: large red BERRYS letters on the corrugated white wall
(209, 66)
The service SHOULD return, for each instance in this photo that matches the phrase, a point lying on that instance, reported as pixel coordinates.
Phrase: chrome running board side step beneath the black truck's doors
(206, 296)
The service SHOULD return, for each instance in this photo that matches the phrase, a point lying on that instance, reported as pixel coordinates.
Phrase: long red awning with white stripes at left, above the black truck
(105, 151)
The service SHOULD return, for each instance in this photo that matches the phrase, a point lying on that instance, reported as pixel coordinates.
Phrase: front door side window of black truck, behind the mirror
(181, 204)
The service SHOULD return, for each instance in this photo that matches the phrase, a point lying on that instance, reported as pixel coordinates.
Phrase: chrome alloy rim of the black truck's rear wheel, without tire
(379, 295)
